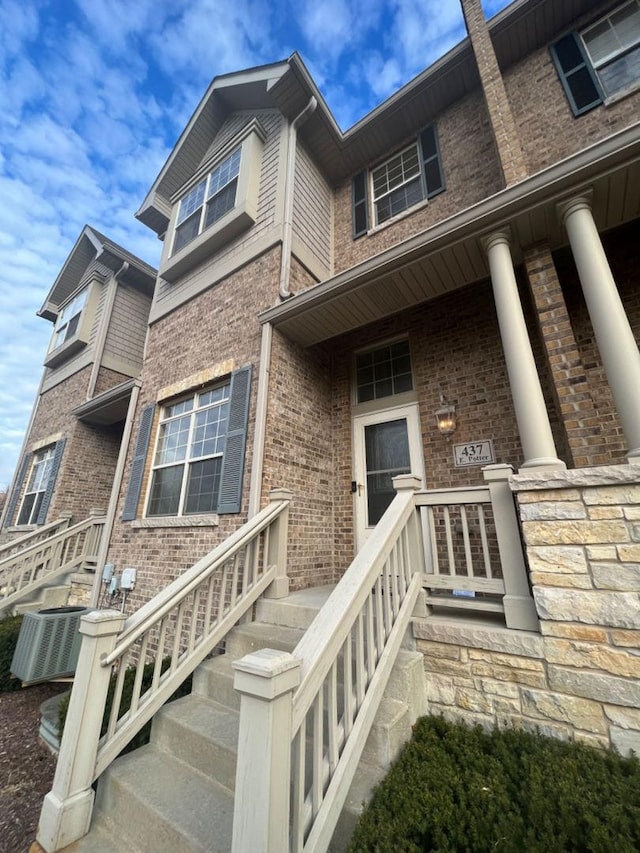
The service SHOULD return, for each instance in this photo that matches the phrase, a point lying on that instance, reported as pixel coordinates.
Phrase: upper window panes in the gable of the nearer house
(208, 201)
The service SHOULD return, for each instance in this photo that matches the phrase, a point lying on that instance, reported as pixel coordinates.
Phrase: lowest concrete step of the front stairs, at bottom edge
(162, 804)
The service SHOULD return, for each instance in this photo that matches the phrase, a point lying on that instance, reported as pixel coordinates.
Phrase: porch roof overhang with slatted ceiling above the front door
(450, 255)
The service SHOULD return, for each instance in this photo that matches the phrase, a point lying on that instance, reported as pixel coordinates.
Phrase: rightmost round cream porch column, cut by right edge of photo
(617, 345)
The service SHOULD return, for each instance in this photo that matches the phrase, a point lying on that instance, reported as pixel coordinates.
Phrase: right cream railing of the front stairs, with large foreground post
(305, 717)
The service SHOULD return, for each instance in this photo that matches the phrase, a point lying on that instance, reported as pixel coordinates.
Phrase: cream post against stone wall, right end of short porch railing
(519, 607)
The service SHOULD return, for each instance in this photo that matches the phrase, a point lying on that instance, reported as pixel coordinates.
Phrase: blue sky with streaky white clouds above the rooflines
(94, 93)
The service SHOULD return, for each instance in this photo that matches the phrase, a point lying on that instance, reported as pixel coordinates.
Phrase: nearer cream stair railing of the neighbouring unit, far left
(68, 550)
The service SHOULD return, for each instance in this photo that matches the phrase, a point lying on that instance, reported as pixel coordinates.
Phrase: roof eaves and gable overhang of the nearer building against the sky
(521, 27)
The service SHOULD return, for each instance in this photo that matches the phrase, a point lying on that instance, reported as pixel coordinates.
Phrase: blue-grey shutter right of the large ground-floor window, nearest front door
(233, 462)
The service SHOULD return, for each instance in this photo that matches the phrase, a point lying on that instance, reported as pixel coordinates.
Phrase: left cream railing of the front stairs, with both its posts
(174, 631)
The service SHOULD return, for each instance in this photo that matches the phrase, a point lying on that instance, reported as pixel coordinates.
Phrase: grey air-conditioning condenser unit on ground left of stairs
(48, 645)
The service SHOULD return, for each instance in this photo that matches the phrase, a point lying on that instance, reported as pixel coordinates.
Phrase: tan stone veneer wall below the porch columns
(579, 678)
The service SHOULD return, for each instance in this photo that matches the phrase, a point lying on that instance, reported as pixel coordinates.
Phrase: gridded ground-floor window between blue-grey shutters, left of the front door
(187, 464)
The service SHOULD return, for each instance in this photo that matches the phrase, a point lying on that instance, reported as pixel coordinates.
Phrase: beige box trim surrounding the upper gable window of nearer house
(241, 216)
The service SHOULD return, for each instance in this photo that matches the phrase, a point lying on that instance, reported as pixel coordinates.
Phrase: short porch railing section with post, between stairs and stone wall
(473, 552)
